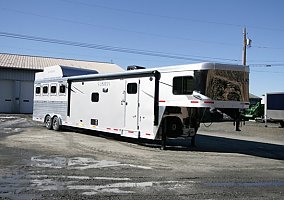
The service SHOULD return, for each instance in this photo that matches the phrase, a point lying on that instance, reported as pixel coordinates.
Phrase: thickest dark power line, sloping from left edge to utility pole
(113, 48)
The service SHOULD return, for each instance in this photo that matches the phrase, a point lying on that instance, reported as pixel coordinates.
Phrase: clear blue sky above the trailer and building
(190, 30)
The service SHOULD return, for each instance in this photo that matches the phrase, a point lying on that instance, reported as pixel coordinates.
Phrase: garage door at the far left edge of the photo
(6, 96)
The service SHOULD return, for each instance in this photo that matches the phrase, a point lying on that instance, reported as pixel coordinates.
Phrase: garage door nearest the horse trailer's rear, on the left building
(26, 97)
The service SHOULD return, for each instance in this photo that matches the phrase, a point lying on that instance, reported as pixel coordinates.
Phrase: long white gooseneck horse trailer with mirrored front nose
(153, 104)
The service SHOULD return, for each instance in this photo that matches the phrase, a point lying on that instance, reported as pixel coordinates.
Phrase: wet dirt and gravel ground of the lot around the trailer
(37, 163)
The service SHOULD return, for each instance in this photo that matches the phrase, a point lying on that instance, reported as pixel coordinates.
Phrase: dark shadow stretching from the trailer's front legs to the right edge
(216, 144)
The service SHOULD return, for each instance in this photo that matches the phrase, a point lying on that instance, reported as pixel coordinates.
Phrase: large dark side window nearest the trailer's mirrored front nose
(183, 85)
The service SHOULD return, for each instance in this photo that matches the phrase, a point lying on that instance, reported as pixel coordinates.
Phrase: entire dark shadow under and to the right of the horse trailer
(205, 143)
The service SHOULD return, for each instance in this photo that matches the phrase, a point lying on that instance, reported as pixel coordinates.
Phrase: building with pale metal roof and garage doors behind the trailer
(17, 73)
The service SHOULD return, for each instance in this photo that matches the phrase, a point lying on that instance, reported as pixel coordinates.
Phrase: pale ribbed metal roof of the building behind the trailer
(38, 63)
